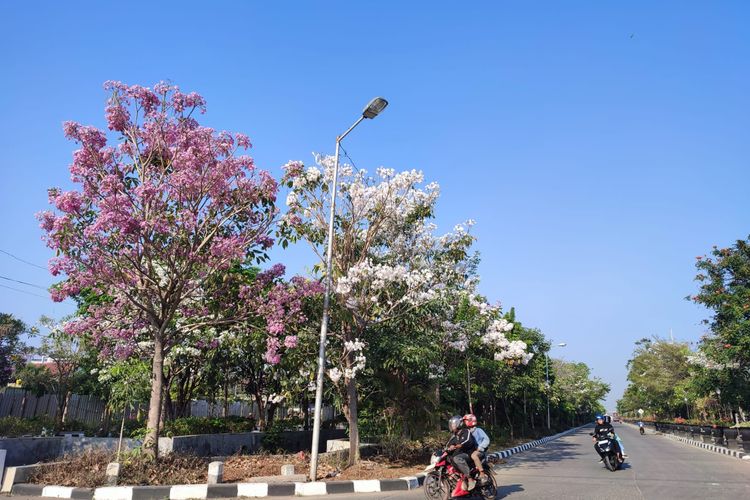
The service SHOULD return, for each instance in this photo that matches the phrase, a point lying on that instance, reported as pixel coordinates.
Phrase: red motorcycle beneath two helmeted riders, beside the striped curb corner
(445, 482)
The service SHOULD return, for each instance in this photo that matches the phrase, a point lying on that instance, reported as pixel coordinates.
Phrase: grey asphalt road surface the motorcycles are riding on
(657, 469)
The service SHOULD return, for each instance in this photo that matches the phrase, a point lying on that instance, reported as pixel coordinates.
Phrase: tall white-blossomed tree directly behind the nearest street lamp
(387, 260)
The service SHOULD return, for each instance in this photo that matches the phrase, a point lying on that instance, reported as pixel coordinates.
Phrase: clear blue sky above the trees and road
(600, 146)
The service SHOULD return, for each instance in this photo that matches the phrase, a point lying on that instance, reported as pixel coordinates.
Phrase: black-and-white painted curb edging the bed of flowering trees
(251, 490)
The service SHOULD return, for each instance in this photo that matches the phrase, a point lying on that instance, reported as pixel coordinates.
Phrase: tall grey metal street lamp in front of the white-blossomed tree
(371, 111)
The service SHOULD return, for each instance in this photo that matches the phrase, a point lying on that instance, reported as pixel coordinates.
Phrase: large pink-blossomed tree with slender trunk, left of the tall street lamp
(161, 205)
